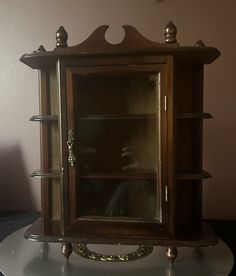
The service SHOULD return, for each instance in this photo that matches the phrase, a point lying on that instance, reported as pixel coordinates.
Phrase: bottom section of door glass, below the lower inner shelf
(134, 198)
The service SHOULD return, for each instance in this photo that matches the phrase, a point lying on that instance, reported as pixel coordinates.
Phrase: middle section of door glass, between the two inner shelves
(117, 145)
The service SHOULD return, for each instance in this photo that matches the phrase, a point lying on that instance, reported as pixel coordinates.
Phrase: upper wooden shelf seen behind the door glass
(118, 117)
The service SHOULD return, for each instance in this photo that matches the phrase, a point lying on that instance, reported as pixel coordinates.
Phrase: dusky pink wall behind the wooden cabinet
(26, 24)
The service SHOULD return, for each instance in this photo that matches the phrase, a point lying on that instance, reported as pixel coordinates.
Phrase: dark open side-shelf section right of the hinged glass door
(189, 86)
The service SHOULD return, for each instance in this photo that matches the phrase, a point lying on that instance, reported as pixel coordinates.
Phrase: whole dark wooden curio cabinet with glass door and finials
(121, 141)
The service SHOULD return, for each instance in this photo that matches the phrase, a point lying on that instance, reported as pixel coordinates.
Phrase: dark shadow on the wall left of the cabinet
(15, 193)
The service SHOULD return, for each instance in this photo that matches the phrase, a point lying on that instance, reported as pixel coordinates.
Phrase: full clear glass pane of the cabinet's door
(117, 130)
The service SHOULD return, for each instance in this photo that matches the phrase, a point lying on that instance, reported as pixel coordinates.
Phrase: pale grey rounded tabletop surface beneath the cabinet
(24, 258)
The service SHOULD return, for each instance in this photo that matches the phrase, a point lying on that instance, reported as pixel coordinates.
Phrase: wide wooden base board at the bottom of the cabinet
(205, 237)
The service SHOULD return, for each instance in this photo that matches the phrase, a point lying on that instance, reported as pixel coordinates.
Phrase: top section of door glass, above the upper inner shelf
(116, 94)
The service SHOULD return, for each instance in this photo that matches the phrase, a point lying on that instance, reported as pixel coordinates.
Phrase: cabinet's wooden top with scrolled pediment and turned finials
(133, 44)
